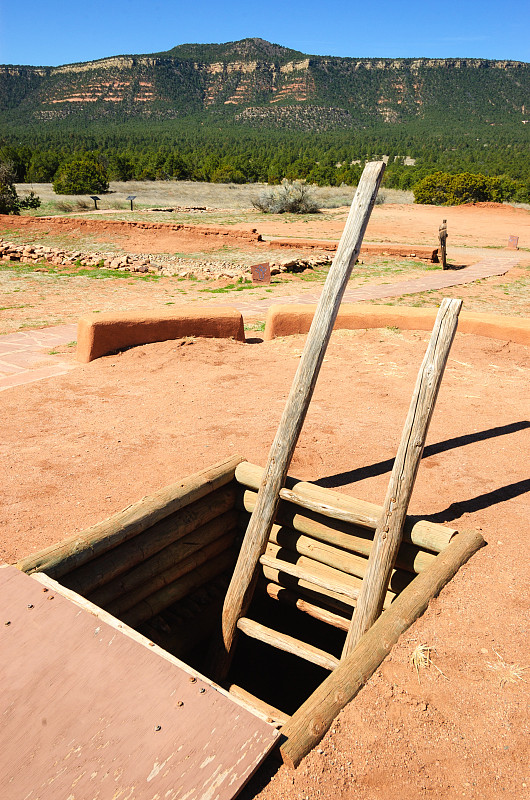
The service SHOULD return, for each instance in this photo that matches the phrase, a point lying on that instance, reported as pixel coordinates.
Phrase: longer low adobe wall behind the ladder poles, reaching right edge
(285, 320)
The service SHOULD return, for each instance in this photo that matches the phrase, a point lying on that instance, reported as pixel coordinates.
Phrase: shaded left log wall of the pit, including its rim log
(141, 560)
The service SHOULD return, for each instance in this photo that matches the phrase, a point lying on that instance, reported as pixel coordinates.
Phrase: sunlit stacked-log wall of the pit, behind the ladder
(316, 560)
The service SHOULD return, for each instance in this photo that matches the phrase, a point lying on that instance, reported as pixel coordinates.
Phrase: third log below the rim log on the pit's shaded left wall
(122, 604)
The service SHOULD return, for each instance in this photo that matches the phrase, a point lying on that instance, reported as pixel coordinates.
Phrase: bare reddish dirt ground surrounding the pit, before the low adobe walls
(80, 447)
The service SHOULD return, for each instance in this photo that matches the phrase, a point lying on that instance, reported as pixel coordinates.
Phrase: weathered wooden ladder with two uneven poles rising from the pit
(388, 533)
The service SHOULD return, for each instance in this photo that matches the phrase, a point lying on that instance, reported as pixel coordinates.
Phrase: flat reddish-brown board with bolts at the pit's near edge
(87, 712)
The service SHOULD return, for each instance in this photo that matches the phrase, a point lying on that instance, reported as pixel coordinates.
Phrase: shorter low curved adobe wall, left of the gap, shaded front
(99, 334)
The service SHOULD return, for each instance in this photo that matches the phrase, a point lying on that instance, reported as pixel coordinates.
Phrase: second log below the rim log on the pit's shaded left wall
(165, 559)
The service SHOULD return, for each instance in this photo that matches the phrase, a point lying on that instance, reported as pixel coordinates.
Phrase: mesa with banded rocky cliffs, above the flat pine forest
(254, 82)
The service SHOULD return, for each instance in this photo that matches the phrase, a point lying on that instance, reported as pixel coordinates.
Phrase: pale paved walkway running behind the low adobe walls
(25, 356)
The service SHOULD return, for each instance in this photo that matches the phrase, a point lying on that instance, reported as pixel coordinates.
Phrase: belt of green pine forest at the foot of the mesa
(228, 153)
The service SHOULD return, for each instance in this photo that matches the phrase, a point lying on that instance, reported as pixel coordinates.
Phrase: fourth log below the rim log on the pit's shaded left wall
(157, 602)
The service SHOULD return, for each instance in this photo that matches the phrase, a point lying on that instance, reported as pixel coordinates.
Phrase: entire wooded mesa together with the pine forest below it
(252, 110)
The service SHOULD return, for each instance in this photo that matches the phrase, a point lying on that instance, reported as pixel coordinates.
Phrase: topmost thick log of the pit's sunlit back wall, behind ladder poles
(426, 535)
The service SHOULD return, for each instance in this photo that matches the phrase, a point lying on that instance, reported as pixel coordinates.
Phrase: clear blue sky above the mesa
(55, 32)
